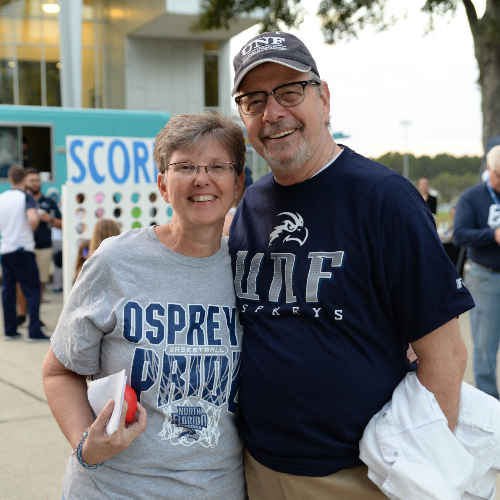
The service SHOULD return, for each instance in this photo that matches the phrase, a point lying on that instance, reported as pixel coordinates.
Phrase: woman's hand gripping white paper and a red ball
(99, 447)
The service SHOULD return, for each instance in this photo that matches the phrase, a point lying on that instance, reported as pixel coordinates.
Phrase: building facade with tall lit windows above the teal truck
(119, 54)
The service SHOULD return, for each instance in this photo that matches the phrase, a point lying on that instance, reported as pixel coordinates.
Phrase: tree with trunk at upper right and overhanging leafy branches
(345, 18)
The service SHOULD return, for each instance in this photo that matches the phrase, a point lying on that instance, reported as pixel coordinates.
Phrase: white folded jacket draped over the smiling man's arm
(412, 455)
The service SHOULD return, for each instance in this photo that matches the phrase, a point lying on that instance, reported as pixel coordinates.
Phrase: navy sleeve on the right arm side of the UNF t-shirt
(425, 289)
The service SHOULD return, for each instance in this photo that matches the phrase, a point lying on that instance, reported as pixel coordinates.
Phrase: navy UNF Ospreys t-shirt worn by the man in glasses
(334, 276)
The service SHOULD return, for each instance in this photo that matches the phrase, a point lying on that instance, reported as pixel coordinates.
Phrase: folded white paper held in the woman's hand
(102, 390)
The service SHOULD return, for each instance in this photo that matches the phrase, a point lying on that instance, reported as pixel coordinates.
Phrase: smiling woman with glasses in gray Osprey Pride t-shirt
(159, 303)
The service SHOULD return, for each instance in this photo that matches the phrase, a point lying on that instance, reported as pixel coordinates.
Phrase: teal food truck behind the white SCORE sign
(36, 136)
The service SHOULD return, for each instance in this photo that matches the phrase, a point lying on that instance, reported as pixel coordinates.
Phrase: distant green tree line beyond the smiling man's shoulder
(449, 175)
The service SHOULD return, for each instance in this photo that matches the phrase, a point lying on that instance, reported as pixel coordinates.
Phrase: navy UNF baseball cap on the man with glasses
(278, 47)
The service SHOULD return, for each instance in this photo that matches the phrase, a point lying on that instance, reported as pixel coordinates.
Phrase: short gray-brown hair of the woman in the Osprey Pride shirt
(188, 130)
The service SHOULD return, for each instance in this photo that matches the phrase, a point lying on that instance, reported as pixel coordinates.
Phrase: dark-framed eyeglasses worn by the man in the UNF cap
(289, 94)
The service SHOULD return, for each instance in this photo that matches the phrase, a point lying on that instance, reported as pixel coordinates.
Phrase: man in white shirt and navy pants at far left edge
(18, 220)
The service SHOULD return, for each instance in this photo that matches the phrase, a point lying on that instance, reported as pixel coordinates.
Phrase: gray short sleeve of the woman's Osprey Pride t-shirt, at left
(87, 316)
